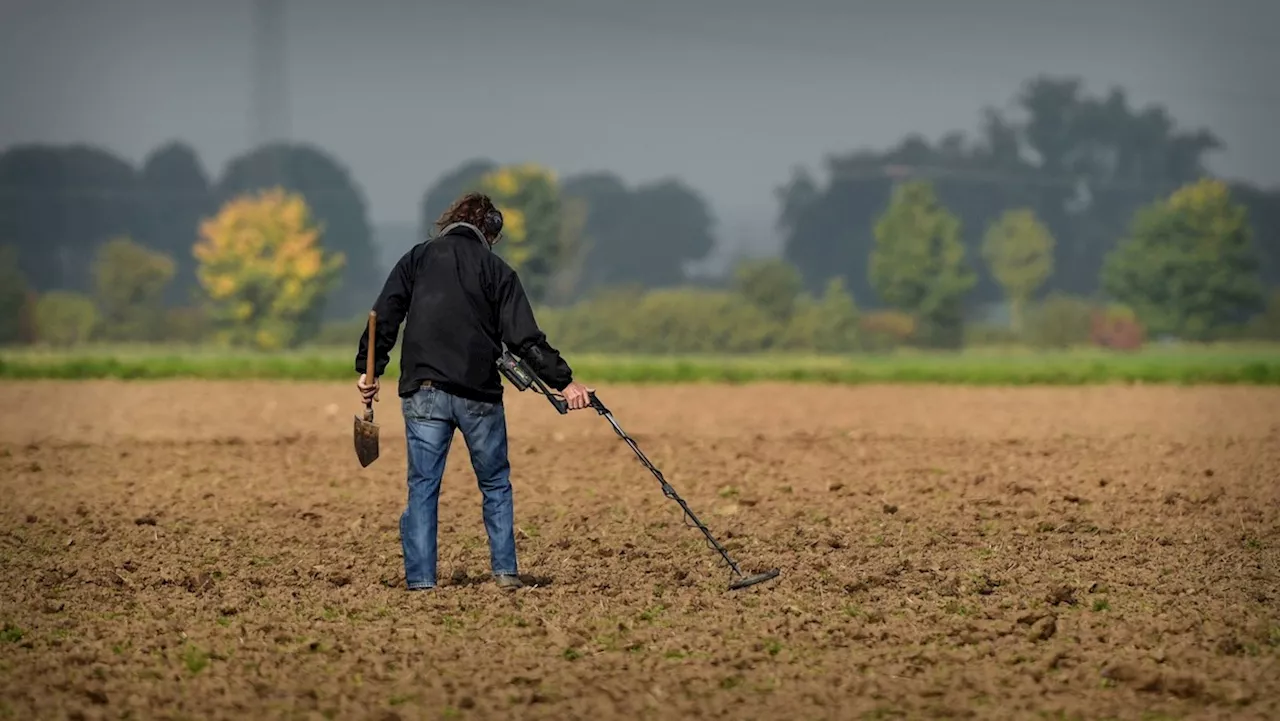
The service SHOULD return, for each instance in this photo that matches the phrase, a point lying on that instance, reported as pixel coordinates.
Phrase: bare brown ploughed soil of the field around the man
(214, 551)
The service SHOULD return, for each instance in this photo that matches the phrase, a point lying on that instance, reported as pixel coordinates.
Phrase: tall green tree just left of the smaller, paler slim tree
(918, 264)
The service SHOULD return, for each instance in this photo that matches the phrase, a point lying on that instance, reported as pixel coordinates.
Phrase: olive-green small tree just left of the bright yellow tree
(130, 282)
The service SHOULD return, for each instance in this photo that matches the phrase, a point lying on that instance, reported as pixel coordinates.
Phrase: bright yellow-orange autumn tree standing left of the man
(263, 270)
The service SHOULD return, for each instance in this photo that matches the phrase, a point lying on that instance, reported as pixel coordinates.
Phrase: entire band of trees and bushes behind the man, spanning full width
(1071, 212)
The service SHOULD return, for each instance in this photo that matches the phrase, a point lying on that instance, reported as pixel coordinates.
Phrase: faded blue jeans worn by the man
(431, 418)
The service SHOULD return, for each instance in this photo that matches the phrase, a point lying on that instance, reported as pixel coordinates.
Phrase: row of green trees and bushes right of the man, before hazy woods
(1186, 268)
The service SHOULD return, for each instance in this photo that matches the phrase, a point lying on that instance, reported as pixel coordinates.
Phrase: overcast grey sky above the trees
(726, 94)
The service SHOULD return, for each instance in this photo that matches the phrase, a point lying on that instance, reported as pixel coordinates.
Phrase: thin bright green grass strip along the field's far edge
(1195, 366)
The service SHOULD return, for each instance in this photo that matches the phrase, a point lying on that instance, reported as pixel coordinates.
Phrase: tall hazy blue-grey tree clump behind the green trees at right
(1084, 163)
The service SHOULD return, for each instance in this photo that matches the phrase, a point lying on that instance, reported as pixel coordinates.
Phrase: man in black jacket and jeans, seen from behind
(461, 302)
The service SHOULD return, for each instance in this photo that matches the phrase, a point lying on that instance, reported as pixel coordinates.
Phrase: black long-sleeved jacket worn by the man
(460, 302)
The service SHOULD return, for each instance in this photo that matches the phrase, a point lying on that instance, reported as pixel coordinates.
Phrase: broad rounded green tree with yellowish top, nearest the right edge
(1188, 266)
